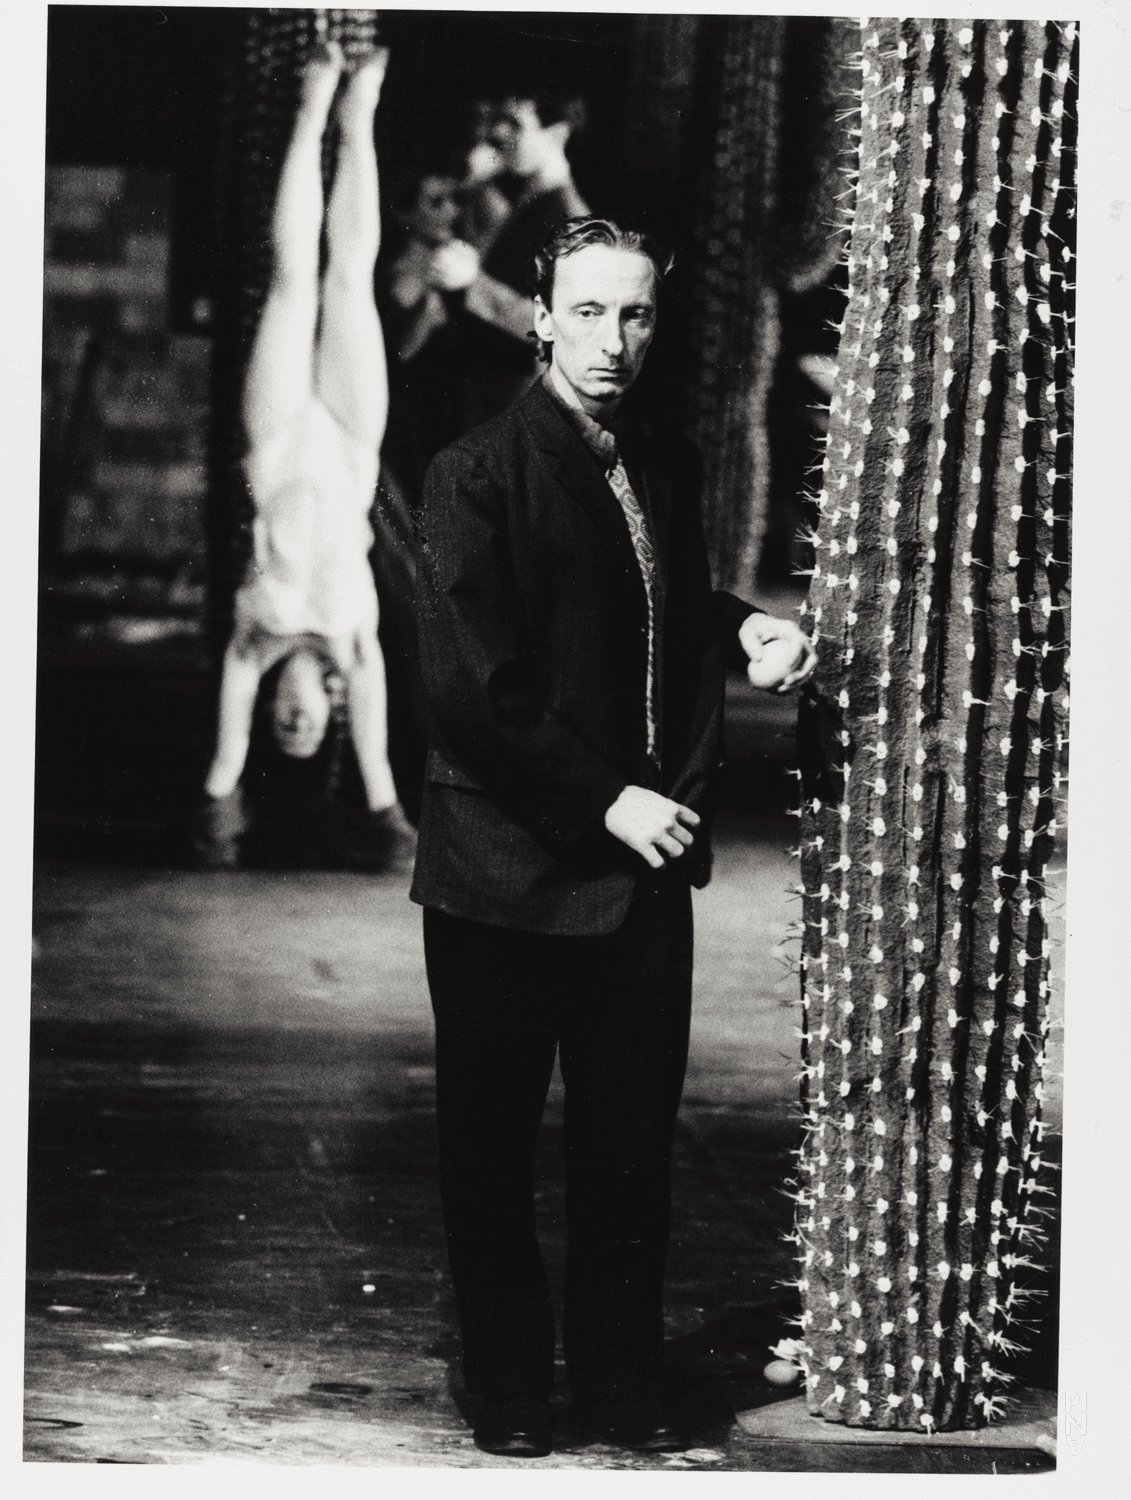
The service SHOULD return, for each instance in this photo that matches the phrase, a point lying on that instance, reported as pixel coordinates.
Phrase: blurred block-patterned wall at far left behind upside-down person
(125, 415)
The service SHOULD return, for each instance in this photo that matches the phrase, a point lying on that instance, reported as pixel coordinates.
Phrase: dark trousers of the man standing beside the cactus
(619, 1007)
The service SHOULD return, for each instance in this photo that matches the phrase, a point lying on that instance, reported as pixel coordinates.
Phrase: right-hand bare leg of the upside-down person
(350, 362)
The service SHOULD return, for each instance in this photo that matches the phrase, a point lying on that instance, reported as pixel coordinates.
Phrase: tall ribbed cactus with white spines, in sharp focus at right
(929, 817)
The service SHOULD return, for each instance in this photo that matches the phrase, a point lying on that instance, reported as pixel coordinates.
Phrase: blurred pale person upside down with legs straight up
(316, 404)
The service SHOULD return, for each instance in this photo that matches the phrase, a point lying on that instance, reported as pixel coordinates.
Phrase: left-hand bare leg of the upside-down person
(281, 367)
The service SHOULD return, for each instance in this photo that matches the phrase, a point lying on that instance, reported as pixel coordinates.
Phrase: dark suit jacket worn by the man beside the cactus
(533, 644)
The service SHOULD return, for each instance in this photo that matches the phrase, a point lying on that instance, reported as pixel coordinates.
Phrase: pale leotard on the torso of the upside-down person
(310, 572)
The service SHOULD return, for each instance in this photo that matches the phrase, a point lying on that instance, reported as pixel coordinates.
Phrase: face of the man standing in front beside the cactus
(601, 322)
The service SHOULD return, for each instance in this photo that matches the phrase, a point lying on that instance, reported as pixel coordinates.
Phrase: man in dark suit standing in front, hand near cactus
(574, 659)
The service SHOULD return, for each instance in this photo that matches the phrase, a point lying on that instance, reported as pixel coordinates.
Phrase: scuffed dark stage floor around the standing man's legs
(235, 1229)
